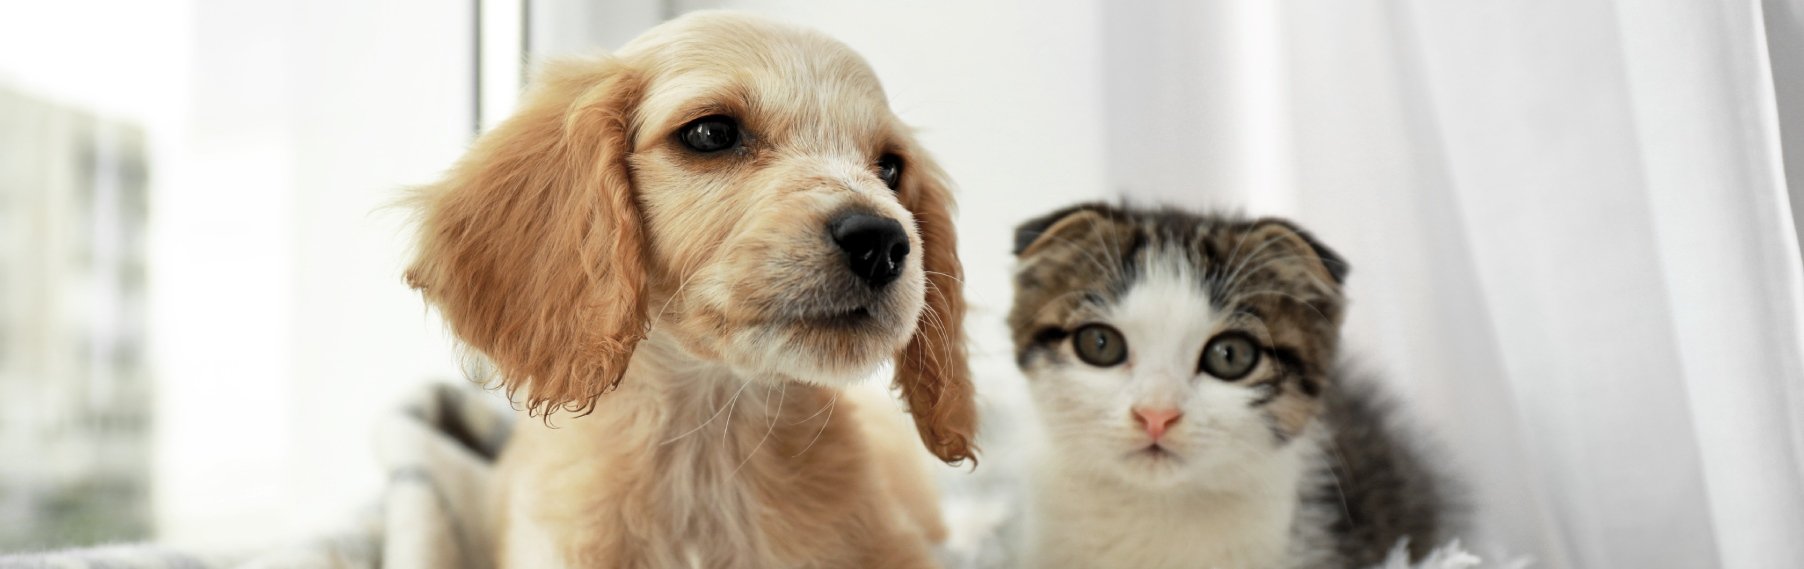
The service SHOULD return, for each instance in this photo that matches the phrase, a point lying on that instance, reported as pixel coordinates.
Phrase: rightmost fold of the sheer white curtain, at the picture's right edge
(1709, 131)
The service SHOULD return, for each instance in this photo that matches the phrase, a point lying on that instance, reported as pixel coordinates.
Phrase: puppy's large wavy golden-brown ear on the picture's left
(533, 247)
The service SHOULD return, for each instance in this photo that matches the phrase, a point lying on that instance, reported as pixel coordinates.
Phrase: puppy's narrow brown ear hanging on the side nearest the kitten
(932, 371)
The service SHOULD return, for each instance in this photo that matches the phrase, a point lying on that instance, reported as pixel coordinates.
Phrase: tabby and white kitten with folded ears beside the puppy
(1195, 411)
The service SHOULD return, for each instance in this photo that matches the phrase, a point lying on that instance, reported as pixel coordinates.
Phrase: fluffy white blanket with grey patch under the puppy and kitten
(439, 452)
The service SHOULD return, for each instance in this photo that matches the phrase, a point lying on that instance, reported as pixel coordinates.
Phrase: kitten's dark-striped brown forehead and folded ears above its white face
(1262, 275)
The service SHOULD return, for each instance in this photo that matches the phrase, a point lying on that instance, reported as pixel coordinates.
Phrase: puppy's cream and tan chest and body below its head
(697, 471)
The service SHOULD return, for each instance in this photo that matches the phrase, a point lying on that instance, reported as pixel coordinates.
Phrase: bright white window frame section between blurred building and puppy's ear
(290, 330)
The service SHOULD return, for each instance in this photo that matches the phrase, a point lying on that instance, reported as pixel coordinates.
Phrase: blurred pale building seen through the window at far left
(75, 389)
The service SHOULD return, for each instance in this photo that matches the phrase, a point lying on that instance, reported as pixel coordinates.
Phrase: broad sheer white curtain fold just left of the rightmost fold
(1536, 126)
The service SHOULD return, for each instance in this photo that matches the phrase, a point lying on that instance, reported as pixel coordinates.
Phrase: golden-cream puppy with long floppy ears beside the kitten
(690, 248)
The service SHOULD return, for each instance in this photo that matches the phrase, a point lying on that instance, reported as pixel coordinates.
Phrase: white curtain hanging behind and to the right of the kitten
(1570, 238)
